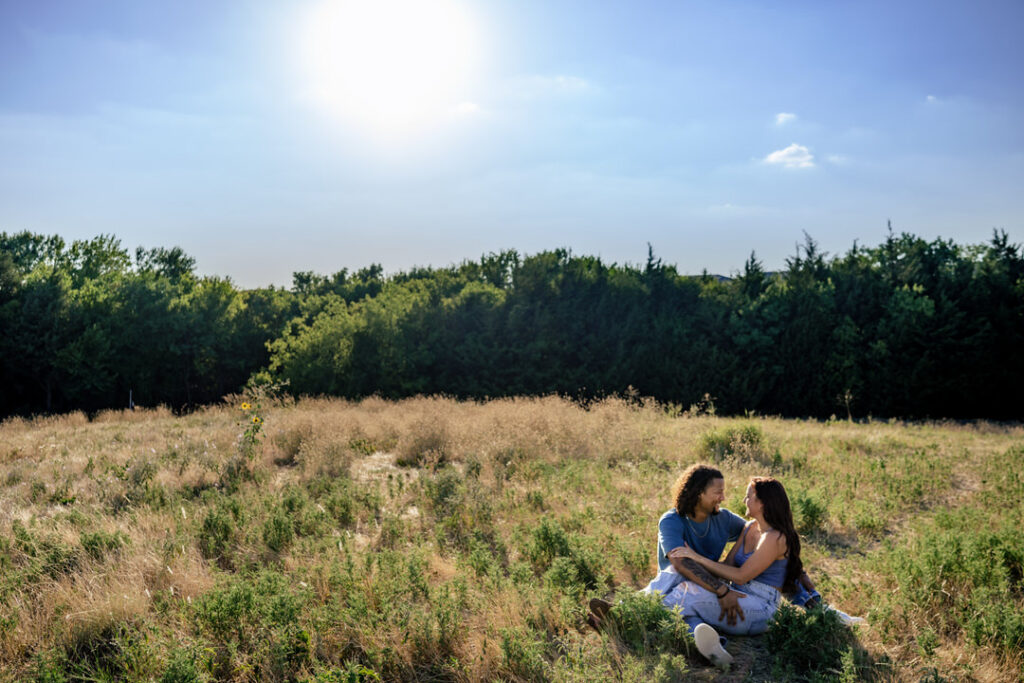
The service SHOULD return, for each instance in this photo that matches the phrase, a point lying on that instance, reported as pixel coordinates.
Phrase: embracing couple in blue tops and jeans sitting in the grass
(741, 595)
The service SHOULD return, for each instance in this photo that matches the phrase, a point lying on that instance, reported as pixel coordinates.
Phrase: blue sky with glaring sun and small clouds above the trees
(708, 130)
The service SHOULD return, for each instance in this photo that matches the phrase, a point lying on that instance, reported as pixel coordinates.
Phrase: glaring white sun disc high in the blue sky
(390, 67)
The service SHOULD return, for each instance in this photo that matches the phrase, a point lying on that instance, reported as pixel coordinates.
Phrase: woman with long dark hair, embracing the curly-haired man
(763, 563)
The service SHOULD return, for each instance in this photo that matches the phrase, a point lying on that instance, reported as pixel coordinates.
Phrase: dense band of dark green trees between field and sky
(911, 328)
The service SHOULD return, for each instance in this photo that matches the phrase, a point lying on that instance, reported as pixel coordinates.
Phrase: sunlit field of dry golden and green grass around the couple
(435, 540)
